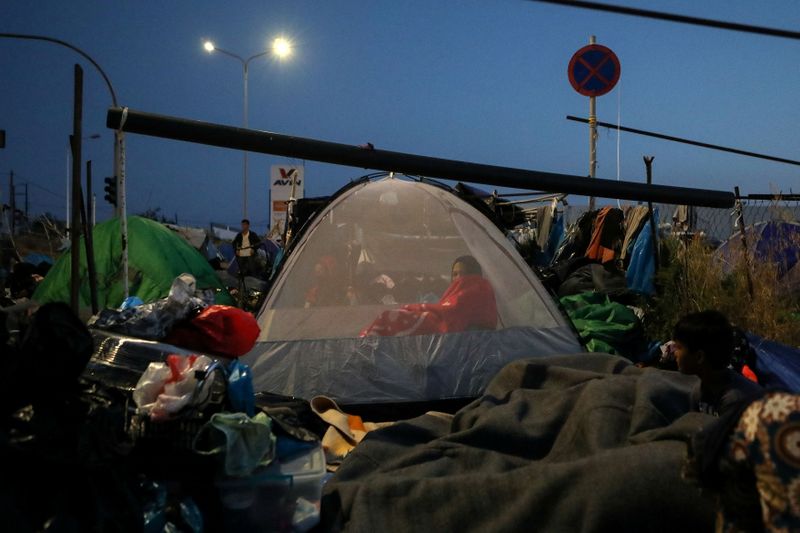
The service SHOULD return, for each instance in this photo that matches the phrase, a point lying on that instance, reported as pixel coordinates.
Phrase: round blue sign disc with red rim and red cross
(594, 70)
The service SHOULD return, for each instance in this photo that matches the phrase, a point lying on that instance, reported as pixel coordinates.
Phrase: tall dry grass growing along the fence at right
(692, 279)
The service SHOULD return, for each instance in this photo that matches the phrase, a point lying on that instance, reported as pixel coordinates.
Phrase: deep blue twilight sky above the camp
(474, 80)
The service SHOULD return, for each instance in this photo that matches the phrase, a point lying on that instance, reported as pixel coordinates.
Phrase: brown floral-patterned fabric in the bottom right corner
(767, 440)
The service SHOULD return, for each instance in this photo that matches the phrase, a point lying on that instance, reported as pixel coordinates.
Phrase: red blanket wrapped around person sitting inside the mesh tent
(468, 303)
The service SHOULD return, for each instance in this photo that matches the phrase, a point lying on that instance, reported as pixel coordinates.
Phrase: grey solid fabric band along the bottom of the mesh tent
(357, 371)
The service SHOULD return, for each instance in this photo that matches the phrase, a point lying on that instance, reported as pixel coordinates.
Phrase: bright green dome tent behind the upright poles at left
(156, 256)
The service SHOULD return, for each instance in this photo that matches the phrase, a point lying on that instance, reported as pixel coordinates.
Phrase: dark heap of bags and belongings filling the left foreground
(184, 448)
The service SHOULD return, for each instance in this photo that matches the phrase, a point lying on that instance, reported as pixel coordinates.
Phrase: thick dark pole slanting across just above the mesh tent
(356, 156)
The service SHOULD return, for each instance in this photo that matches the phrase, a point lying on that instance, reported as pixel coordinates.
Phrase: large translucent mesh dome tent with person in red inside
(379, 249)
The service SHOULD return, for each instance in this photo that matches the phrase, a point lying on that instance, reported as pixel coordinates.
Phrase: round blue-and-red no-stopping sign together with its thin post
(593, 71)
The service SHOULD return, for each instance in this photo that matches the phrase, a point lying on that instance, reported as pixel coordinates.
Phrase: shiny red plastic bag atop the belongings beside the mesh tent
(219, 330)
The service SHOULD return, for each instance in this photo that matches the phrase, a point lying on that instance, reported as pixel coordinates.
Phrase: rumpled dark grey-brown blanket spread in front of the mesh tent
(565, 443)
